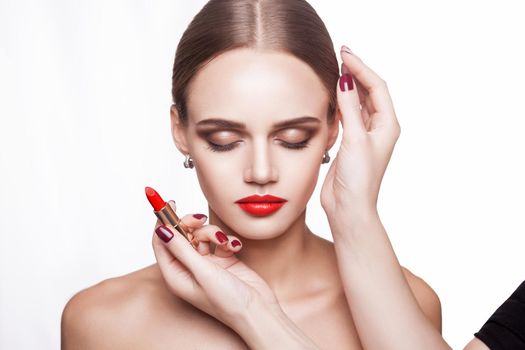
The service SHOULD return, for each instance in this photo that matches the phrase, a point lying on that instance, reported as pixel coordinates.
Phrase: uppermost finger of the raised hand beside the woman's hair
(374, 85)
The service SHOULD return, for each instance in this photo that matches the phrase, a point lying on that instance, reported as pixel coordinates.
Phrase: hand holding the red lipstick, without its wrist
(217, 283)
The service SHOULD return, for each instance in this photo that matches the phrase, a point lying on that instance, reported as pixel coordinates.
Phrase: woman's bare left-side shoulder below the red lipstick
(104, 315)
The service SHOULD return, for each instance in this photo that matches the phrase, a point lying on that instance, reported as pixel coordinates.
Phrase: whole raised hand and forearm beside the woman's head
(367, 263)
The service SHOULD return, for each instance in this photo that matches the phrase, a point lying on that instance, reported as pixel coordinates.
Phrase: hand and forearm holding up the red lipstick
(226, 289)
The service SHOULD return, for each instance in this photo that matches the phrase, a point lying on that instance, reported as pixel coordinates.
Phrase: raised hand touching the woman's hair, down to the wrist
(370, 131)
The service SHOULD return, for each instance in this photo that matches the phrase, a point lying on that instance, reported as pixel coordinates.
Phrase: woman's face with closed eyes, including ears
(256, 90)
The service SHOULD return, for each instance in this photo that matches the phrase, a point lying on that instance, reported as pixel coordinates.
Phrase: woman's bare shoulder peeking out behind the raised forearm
(426, 297)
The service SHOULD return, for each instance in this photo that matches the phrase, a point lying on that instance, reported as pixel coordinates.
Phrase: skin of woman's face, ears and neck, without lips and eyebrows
(260, 164)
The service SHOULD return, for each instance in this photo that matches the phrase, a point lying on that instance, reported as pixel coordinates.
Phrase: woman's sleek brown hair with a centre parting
(290, 26)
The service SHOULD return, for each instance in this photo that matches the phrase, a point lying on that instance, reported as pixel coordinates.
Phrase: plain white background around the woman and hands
(84, 108)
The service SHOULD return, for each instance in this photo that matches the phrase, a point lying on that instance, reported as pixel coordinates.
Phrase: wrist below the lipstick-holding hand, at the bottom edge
(264, 325)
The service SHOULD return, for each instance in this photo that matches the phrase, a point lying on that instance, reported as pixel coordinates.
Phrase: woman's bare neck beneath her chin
(281, 260)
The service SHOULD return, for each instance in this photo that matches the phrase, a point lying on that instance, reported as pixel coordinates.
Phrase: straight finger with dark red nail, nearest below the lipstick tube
(181, 249)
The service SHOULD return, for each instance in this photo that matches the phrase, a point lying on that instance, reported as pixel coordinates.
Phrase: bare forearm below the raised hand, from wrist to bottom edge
(383, 306)
